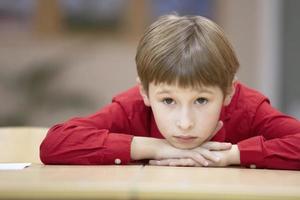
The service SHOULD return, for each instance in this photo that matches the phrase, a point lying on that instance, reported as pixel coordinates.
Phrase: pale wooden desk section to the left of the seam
(69, 182)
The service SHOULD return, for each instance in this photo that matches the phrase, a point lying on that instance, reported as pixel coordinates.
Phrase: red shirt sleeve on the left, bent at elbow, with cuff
(102, 138)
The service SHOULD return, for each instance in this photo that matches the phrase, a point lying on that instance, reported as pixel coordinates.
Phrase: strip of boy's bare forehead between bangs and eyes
(164, 88)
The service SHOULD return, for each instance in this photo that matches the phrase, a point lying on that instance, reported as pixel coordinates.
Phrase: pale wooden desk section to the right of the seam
(217, 183)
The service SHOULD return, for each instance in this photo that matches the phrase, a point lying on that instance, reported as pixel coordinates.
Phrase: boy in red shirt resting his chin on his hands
(187, 110)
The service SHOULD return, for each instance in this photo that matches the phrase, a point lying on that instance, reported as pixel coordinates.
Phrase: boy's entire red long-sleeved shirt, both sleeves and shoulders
(265, 137)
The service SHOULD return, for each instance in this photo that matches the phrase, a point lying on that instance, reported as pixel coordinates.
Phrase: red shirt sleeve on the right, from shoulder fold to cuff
(275, 143)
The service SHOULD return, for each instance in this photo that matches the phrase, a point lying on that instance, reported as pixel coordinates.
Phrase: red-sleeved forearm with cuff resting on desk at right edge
(277, 153)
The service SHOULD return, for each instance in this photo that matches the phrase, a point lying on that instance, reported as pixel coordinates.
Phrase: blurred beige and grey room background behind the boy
(66, 58)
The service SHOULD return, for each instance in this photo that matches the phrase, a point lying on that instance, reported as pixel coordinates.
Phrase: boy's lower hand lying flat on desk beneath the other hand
(226, 157)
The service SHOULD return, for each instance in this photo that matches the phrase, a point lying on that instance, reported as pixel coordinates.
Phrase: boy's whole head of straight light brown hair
(188, 51)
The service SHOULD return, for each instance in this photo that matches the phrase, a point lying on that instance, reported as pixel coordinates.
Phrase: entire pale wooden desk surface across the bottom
(147, 182)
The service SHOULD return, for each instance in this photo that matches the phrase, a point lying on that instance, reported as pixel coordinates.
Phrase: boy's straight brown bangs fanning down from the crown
(190, 64)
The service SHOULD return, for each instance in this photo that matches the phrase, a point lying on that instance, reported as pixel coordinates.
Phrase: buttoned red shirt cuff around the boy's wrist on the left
(117, 149)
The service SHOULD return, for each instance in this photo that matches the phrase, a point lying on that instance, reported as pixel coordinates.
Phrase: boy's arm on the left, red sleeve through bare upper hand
(106, 137)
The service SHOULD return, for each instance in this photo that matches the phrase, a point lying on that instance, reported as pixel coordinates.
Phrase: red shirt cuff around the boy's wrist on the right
(251, 152)
